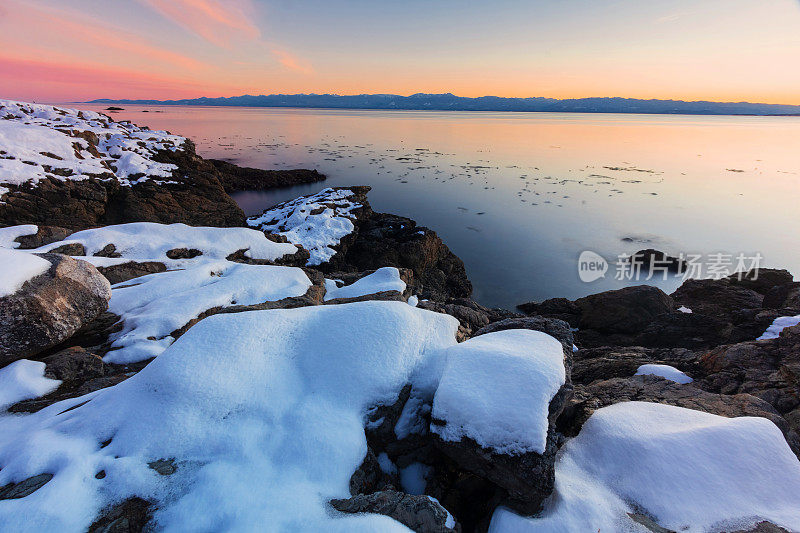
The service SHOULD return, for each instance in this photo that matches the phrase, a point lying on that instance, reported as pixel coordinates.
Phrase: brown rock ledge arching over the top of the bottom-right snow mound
(589, 398)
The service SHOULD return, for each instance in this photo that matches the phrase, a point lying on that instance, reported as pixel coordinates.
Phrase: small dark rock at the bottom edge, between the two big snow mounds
(418, 513)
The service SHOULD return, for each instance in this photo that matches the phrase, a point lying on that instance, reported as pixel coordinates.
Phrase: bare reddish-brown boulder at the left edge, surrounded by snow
(51, 307)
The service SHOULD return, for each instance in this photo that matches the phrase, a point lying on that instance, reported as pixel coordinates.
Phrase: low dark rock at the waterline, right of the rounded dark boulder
(719, 298)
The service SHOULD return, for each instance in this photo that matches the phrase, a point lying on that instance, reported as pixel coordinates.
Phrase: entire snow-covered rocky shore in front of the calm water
(158, 348)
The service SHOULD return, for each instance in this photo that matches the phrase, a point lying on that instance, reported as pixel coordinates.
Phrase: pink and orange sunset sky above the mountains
(721, 50)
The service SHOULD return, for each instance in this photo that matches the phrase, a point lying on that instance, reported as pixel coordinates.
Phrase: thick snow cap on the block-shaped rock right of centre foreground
(496, 389)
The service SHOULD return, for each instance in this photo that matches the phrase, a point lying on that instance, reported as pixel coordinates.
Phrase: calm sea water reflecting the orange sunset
(519, 196)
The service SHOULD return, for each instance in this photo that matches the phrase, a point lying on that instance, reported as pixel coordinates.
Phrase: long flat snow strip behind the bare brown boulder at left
(150, 241)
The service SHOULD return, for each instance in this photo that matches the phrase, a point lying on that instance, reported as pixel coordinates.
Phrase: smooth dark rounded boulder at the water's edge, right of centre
(627, 310)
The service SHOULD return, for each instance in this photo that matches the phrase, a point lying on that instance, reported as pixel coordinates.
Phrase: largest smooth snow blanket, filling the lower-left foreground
(263, 412)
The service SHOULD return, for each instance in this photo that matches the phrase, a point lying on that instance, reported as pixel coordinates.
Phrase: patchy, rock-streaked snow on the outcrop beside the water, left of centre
(317, 232)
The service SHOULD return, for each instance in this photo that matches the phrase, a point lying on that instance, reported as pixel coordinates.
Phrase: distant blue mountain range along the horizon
(451, 102)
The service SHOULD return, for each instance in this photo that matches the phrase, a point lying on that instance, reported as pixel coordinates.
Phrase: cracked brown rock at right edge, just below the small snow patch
(767, 369)
